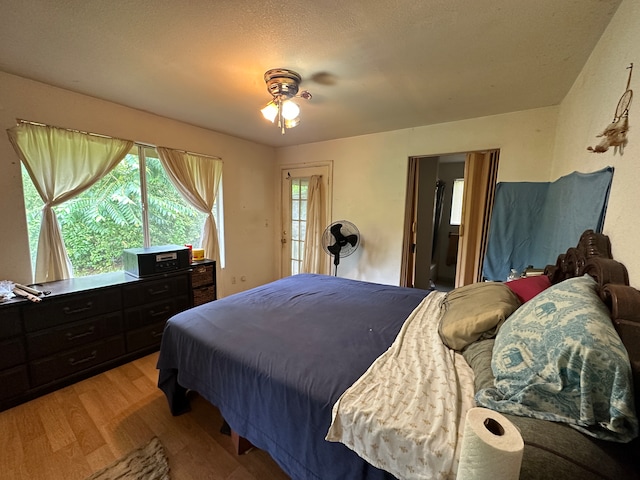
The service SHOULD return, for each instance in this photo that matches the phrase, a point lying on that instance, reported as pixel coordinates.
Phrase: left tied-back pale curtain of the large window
(62, 164)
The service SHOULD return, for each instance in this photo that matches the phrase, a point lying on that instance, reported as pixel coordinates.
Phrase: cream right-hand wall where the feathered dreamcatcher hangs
(587, 109)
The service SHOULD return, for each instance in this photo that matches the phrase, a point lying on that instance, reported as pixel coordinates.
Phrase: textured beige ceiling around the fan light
(371, 65)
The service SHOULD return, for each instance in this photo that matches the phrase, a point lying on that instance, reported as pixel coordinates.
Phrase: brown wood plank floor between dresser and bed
(71, 433)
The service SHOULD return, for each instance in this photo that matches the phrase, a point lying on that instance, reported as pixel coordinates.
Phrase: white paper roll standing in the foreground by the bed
(491, 447)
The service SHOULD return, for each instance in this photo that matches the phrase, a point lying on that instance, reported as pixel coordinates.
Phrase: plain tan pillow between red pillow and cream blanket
(475, 311)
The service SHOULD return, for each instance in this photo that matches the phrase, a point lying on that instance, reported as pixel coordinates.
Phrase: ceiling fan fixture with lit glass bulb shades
(283, 85)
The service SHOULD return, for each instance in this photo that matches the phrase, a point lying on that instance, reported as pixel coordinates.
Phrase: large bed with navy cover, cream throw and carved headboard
(291, 365)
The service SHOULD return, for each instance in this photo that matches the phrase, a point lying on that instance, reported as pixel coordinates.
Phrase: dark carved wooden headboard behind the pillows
(593, 256)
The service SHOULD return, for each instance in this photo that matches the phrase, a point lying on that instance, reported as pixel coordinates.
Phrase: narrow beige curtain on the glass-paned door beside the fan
(314, 260)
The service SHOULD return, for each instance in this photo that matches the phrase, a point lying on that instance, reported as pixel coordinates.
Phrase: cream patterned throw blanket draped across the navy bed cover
(405, 415)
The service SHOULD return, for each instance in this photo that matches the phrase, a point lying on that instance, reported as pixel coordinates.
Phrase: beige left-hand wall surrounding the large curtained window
(249, 191)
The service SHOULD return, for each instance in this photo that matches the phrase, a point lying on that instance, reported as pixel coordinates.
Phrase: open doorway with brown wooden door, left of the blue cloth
(444, 247)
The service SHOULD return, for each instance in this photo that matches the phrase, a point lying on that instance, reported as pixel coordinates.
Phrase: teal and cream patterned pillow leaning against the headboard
(559, 358)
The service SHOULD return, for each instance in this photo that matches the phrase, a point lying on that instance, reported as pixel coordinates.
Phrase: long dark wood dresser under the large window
(88, 325)
